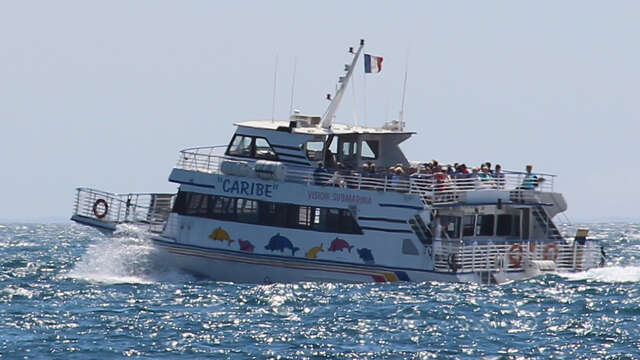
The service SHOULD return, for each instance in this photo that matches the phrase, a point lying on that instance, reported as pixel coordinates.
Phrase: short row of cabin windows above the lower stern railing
(481, 225)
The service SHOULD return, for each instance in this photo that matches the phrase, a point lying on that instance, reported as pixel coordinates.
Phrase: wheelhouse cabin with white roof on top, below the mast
(302, 142)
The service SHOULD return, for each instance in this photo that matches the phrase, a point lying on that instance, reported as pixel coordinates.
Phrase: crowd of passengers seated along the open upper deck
(431, 175)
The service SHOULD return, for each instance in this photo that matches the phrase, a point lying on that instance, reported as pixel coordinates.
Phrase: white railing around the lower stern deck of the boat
(450, 255)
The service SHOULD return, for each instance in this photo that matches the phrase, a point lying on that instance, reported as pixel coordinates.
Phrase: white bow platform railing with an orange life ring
(138, 208)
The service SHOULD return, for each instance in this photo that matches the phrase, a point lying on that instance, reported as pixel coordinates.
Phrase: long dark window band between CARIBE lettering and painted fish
(266, 213)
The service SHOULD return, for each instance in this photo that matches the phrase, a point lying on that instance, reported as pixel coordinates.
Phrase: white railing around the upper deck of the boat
(433, 190)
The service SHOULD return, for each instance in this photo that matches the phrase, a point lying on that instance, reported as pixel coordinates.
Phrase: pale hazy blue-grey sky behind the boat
(106, 94)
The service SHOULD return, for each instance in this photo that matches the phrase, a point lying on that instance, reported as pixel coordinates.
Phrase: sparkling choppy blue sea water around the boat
(67, 291)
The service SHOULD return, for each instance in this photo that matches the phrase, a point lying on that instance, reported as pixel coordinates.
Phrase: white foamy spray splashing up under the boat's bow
(125, 258)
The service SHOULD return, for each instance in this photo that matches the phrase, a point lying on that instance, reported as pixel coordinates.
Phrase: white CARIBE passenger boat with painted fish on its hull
(309, 199)
